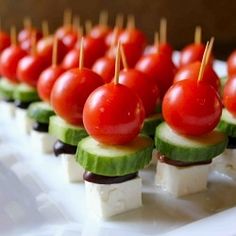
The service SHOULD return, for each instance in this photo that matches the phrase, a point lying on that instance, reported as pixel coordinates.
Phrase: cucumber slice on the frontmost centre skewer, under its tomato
(114, 160)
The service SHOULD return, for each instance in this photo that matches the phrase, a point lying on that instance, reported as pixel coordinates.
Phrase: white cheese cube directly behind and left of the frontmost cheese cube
(72, 169)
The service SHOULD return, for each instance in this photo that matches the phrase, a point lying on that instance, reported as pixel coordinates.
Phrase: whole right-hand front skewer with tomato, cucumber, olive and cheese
(186, 141)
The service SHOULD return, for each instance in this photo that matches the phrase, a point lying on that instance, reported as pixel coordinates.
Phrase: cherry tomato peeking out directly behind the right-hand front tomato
(191, 71)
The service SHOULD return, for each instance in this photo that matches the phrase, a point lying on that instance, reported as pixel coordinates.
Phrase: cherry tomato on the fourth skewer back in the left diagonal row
(29, 68)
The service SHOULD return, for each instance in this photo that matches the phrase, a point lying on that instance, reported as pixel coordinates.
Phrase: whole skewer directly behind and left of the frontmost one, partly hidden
(68, 96)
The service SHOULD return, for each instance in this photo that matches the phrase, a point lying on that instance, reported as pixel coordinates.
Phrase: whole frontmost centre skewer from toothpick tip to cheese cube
(114, 153)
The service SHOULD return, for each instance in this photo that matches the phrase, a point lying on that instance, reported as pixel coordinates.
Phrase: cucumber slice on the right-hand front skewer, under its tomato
(189, 149)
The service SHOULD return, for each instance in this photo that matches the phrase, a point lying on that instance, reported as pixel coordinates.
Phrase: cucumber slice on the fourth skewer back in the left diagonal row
(25, 93)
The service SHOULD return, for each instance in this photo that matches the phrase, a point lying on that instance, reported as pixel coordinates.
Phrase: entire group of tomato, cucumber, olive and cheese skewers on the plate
(104, 122)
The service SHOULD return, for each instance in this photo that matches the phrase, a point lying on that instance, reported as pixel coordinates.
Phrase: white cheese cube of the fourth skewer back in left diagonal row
(23, 122)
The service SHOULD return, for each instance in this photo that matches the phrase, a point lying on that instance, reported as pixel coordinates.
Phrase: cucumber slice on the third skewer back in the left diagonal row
(40, 111)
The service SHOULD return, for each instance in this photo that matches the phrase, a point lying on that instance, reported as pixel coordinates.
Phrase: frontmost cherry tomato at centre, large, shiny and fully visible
(113, 114)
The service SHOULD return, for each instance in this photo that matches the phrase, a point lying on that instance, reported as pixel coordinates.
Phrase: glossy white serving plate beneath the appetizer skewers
(35, 199)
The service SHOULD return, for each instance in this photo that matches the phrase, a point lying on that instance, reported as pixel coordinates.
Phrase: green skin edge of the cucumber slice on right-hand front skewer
(187, 154)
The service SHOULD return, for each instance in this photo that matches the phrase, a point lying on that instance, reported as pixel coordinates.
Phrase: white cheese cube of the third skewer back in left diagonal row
(42, 141)
